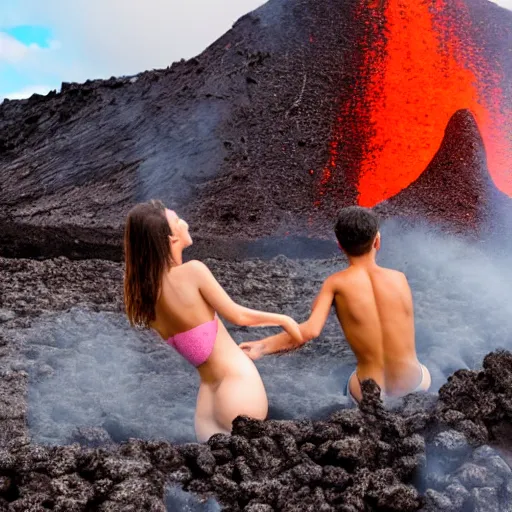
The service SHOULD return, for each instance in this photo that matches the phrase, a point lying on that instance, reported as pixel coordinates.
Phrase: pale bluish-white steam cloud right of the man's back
(462, 294)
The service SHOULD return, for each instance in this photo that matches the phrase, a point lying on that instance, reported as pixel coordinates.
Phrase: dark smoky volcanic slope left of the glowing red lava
(228, 138)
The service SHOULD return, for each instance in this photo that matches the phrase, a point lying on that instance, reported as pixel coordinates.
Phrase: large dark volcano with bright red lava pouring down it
(302, 108)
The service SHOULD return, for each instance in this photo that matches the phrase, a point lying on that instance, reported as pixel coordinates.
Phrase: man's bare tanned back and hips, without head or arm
(374, 307)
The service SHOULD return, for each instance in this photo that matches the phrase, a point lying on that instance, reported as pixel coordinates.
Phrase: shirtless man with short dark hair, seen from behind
(374, 307)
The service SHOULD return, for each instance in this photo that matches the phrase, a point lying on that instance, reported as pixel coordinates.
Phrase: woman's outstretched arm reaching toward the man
(217, 297)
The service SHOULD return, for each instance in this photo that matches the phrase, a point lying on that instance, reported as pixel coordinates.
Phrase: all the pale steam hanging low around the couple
(91, 369)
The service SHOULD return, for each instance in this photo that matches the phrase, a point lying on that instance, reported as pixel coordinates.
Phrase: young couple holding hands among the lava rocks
(180, 301)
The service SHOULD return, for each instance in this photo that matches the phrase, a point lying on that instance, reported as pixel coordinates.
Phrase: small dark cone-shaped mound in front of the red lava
(455, 188)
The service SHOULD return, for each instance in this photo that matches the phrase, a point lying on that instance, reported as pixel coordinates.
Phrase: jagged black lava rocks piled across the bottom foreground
(423, 454)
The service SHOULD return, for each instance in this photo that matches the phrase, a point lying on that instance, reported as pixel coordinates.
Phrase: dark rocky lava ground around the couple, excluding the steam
(426, 452)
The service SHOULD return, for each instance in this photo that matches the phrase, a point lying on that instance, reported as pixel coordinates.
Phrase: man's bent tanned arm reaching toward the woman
(309, 329)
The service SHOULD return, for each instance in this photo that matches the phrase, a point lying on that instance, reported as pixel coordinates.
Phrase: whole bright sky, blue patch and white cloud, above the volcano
(46, 42)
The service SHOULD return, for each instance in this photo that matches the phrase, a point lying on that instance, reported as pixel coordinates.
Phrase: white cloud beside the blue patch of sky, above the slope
(117, 37)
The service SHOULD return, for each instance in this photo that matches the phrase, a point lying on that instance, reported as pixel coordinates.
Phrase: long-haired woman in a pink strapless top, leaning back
(180, 301)
